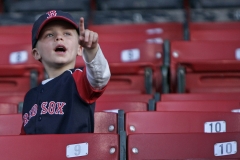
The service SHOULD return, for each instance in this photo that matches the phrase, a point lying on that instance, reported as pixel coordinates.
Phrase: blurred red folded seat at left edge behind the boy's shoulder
(19, 71)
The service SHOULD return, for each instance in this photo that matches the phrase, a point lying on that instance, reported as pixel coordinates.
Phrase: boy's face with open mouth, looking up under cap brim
(57, 45)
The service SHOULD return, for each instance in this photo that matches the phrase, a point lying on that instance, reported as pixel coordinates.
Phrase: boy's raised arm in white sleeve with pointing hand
(98, 72)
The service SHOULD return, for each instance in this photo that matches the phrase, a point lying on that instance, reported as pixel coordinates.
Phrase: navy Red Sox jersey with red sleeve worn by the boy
(65, 104)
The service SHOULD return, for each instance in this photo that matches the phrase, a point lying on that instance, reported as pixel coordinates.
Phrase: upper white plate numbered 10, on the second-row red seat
(215, 127)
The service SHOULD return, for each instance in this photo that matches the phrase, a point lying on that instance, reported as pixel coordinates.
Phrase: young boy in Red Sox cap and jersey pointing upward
(65, 102)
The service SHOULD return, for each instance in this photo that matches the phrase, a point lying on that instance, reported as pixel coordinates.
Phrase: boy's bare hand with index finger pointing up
(87, 39)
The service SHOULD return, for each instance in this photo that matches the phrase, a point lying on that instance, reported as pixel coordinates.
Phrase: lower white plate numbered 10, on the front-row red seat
(226, 148)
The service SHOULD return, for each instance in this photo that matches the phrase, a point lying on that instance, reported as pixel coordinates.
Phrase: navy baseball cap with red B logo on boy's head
(47, 17)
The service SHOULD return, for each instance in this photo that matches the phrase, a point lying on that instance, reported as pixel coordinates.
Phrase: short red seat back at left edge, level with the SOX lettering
(8, 108)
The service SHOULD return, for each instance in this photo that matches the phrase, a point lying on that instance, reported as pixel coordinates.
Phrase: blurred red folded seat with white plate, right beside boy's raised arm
(135, 67)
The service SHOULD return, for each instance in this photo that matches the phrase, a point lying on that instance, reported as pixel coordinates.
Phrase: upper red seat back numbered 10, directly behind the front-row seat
(181, 122)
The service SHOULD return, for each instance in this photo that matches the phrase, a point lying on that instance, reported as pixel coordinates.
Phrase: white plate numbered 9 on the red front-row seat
(77, 150)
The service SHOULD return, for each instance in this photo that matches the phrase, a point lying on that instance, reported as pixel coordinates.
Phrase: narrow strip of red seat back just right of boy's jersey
(123, 105)
